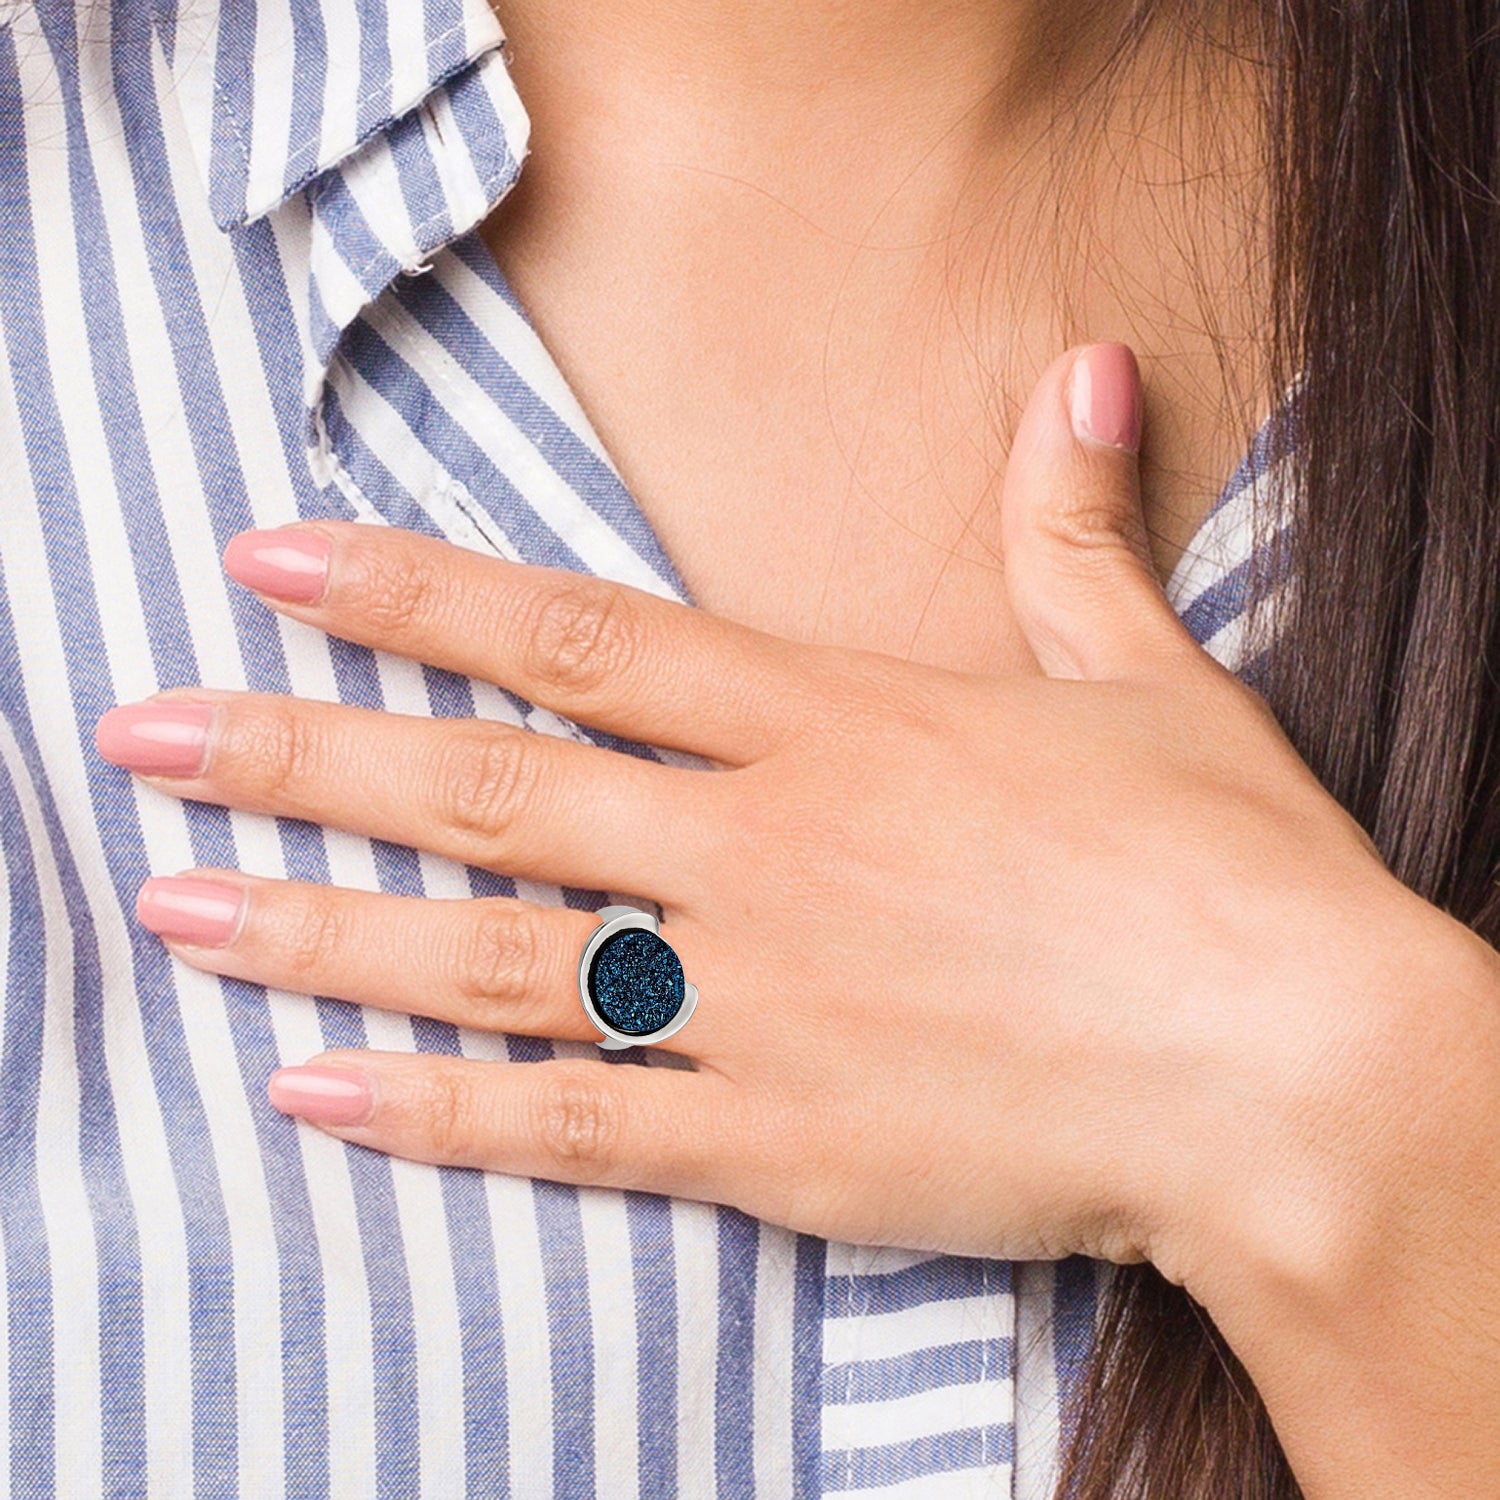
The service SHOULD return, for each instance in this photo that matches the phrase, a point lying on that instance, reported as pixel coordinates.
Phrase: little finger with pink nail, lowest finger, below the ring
(571, 1120)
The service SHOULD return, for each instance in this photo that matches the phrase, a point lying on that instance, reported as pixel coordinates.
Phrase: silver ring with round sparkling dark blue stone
(631, 980)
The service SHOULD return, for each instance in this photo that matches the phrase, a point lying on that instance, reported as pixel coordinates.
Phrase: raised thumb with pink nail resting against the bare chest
(1078, 565)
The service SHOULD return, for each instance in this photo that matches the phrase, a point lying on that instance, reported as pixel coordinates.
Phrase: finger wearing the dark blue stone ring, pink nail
(499, 964)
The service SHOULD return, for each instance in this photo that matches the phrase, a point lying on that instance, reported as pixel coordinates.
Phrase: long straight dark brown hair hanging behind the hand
(1384, 170)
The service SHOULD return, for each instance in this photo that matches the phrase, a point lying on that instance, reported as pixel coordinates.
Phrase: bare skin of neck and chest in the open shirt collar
(839, 358)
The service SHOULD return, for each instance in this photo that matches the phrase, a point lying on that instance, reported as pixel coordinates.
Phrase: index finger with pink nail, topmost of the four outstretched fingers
(589, 649)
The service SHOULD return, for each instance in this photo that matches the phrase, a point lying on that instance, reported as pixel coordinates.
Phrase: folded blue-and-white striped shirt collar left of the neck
(368, 133)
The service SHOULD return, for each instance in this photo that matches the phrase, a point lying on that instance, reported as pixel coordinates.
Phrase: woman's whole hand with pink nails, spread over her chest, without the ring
(1060, 962)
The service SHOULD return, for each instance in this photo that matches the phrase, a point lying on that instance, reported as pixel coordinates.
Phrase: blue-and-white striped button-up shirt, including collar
(239, 286)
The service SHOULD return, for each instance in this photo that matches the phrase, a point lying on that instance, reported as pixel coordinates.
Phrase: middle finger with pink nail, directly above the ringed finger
(494, 796)
